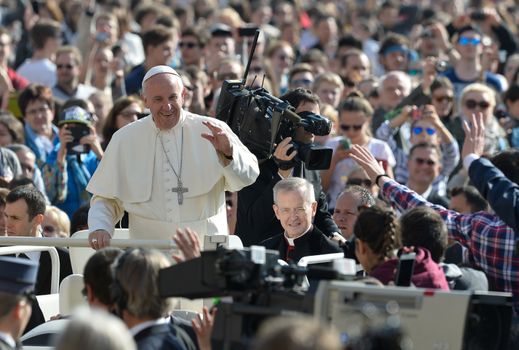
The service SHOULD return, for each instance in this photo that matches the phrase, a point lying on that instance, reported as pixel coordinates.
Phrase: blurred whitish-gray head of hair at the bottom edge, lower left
(95, 329)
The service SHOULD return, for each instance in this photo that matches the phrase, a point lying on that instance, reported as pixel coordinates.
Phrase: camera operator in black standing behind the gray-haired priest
(256, 220)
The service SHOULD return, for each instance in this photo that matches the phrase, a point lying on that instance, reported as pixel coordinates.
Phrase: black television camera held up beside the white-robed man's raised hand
(261, 121)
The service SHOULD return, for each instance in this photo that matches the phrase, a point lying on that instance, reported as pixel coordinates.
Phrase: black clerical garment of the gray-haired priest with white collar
(314, 242)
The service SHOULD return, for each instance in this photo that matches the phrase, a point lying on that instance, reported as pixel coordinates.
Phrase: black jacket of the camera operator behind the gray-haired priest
(256, 220)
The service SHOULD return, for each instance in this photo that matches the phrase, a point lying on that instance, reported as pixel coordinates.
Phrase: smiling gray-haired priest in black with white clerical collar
(295, 208)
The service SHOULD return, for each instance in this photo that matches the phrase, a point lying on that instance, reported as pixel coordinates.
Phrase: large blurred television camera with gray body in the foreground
(259, 287)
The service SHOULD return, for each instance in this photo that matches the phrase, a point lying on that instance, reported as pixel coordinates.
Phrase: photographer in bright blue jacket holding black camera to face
(73, 160)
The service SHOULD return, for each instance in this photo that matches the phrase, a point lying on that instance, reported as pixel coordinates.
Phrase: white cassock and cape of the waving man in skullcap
(135, 175)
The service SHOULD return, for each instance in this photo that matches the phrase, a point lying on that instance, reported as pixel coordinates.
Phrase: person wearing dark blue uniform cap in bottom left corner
(17, 280)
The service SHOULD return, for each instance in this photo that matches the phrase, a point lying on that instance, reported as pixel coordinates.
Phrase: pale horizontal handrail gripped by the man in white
(83, 242)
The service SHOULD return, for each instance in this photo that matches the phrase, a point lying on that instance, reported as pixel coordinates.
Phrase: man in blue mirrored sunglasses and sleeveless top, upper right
(468, 69)
